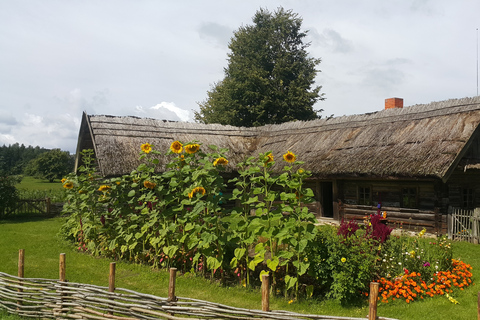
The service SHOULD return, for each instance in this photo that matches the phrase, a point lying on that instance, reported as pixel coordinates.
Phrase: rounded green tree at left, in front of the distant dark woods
(51, 165)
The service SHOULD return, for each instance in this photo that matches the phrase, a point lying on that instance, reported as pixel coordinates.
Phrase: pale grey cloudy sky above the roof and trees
(158, 58)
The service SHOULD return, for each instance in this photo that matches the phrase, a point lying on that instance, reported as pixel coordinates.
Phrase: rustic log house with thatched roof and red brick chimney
(416, 163)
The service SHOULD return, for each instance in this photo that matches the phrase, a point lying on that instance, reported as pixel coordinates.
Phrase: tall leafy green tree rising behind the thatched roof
(269, 78)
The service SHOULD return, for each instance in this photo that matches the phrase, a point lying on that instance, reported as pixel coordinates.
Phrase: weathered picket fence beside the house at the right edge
(464, 225)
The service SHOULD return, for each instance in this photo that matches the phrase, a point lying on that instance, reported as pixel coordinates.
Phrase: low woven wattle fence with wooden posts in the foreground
(60, 299)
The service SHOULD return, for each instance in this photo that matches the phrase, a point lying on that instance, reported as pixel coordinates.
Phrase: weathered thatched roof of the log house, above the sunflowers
(418, 141)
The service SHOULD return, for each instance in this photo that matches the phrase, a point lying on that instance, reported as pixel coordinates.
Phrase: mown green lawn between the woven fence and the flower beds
(42, 249)
